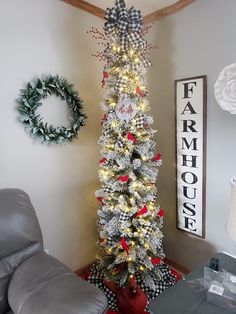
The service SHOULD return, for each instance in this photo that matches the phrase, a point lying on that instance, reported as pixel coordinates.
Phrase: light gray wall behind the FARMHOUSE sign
(196, 41)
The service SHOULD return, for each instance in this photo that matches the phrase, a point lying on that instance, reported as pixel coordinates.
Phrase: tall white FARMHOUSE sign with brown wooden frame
(190, 96)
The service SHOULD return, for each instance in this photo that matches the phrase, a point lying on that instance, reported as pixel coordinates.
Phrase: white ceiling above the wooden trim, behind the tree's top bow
(146, 6)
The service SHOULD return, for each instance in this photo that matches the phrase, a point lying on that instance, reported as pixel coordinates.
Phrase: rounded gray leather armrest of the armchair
(43, 285)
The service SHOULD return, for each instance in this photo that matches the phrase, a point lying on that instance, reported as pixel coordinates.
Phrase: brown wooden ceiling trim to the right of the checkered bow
(171, 9)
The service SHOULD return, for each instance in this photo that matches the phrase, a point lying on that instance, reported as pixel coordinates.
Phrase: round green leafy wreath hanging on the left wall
(31, 98)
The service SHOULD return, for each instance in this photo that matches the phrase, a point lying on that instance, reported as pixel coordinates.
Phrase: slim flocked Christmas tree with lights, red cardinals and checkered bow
(129, 218)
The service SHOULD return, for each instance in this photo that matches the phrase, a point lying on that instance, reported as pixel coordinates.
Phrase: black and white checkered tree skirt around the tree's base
(168, 279)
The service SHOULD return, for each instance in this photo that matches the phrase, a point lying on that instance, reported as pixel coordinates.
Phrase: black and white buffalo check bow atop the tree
(128, 23)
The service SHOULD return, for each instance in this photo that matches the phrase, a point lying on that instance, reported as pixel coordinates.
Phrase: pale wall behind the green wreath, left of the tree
(48, 37)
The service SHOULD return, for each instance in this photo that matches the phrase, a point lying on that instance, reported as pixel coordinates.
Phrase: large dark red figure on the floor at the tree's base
(131, 299)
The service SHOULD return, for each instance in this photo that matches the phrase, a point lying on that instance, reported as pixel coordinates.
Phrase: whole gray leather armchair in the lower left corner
(32, 282)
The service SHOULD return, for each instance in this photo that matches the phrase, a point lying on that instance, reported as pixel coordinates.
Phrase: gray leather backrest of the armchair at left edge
(20, 236)
